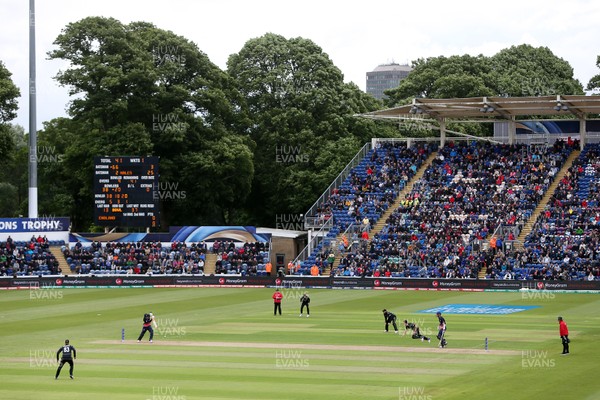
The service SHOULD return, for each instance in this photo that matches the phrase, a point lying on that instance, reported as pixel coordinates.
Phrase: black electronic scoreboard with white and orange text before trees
(125, 191)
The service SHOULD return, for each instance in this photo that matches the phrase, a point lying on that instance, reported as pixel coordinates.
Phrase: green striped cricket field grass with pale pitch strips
(226, 344)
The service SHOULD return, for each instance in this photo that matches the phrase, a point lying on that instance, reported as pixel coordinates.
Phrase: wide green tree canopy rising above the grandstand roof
(517, 71)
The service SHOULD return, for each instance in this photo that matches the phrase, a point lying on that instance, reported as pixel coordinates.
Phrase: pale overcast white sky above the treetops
(357, 35)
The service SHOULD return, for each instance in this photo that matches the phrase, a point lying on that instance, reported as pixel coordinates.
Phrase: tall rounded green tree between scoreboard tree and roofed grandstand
(299, 106)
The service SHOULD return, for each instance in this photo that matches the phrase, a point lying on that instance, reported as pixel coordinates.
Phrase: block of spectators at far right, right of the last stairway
(565, 241)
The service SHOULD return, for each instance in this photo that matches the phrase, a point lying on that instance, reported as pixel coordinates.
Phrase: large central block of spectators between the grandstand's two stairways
(443, 227)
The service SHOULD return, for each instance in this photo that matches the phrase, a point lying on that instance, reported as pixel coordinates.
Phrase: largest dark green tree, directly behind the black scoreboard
(143, 90)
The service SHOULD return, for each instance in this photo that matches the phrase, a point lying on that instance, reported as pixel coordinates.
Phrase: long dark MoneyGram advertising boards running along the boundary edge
(71, 281)
